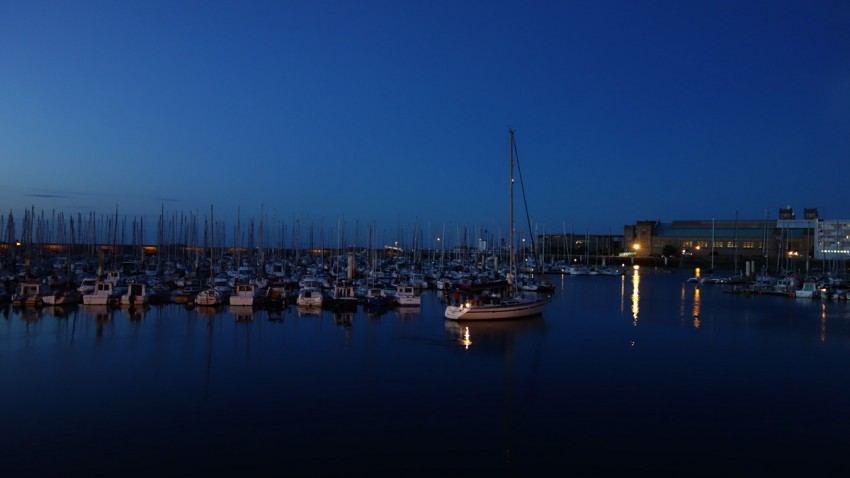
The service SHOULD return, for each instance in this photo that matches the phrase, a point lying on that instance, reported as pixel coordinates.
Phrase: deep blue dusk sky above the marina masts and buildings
(392, 112)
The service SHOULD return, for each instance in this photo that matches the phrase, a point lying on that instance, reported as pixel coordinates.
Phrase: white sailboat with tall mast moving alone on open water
(512, 304)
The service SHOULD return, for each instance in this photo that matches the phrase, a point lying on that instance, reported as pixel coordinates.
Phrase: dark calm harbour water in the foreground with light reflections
(643, 374)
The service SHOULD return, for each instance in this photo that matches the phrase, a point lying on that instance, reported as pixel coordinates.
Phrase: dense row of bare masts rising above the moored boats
(184, 236)
